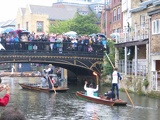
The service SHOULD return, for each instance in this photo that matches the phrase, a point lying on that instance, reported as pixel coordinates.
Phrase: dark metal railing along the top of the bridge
(40, 47)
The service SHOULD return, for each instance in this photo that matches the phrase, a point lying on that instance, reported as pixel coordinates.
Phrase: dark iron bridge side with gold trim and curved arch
(77, 60)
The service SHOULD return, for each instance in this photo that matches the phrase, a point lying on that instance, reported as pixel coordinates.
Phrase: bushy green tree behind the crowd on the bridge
(82, 24)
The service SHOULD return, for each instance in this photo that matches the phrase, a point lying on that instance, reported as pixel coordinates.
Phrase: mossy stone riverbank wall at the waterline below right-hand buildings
(134, 84)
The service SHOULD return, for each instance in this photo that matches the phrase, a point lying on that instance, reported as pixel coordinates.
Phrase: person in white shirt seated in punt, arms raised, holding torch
(90, 90)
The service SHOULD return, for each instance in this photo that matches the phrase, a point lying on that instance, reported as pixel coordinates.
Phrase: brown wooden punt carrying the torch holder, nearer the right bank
(101, 100)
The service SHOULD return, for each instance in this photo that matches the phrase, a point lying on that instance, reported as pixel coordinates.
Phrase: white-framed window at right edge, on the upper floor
(156, 26)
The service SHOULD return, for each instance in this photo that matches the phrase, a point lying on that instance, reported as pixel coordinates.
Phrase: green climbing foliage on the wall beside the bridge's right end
(107, 67)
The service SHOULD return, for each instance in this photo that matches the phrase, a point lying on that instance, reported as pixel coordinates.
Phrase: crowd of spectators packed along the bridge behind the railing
(18, 40)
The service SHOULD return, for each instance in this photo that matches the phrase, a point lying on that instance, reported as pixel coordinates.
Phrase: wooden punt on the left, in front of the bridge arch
(36, 87)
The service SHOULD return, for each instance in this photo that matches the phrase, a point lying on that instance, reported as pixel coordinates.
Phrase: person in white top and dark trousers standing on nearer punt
(115, 80)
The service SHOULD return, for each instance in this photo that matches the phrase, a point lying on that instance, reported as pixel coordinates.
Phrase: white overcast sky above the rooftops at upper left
(8, 8)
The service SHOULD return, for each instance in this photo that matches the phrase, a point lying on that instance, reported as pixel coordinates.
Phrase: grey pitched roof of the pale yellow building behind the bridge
(59, 11)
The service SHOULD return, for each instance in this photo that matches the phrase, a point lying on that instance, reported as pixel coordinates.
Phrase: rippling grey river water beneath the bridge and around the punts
(65, 106)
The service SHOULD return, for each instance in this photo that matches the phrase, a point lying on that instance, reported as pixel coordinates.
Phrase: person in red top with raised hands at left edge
(5, 99)
